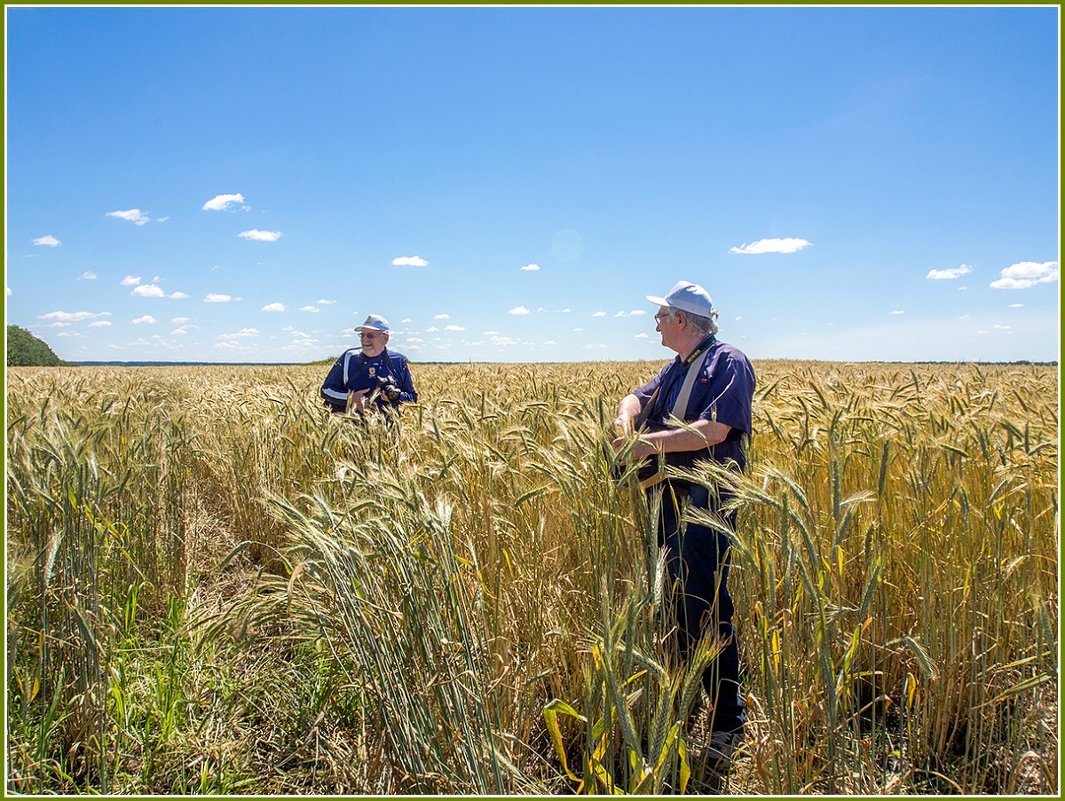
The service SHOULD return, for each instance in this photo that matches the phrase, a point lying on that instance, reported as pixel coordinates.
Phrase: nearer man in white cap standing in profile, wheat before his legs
(711, 387)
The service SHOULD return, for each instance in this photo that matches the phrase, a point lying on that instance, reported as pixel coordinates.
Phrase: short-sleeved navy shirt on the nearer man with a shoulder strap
(724, 391)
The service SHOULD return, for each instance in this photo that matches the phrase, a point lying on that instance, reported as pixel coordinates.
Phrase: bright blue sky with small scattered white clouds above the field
(507, 185)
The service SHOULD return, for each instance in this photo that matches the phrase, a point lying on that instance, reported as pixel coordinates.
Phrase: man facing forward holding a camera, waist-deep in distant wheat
(371, 374)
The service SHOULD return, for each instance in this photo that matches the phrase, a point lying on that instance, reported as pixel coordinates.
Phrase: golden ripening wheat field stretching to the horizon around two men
(216, 587)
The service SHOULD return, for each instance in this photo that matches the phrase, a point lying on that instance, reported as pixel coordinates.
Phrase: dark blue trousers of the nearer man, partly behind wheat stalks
(698, 565)
